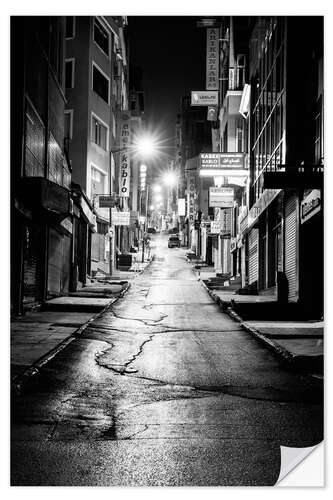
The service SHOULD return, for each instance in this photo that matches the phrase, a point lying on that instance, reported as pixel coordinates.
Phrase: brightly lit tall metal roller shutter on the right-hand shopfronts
(291, 248)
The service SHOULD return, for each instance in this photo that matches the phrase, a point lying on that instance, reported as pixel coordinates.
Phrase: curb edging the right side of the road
(295, 360)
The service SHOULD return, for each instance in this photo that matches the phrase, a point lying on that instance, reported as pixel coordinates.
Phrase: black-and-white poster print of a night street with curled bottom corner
(166, 249)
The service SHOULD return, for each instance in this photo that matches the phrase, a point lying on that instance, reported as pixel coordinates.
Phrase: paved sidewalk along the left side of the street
(37, 336)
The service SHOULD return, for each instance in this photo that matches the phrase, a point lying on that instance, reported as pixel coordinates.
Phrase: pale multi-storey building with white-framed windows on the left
(96, 93)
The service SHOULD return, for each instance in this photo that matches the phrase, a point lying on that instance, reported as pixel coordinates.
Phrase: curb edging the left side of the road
(19, 382)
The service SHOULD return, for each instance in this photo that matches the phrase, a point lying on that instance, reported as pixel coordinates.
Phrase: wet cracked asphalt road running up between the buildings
(163, 389)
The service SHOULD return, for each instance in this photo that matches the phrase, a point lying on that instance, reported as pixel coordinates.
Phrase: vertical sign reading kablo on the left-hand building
(125, 166)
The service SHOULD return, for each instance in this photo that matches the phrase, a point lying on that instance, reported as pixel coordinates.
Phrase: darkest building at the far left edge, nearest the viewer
(41, 213)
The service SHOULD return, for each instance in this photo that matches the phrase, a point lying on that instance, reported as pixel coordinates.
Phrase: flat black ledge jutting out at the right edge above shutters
(294, 176)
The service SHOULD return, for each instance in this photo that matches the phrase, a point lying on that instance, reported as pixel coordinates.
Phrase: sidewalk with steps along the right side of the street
(299, 343)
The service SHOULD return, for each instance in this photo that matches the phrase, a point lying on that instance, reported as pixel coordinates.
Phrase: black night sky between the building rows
(171, 52)
